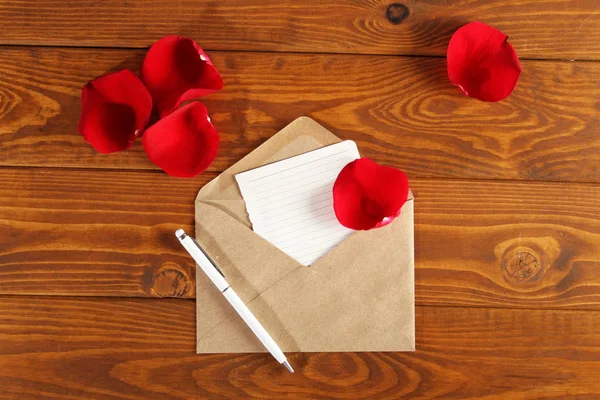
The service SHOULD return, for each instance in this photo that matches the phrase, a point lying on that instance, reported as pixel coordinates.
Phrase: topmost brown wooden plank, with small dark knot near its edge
(565, 29)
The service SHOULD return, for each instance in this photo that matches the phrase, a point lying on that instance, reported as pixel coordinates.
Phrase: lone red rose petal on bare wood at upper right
(482, 63)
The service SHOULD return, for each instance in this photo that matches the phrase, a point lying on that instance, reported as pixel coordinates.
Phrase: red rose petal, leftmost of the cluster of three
(115, 108)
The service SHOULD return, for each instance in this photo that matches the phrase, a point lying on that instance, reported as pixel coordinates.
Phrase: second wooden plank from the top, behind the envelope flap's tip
(401, 111)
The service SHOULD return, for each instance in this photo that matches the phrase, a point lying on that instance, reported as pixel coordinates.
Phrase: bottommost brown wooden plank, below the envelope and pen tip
(143, 349)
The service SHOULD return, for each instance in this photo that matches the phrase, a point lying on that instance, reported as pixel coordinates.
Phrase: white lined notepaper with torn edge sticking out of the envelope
(290, 202)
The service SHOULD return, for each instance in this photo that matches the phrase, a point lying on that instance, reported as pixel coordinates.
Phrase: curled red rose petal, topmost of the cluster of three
(175, 70)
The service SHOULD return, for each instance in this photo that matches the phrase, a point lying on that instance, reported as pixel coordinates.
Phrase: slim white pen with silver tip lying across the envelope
(217, 277)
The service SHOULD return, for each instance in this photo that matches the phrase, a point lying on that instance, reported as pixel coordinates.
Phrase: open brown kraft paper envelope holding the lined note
(357, 297)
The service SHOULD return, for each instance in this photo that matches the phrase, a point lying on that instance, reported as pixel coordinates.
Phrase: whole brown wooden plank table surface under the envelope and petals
(96, 296)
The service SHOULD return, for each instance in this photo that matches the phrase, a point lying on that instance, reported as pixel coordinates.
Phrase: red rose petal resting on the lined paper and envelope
(367, 195)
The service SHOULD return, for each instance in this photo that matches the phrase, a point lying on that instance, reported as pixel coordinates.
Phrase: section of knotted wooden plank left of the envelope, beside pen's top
(95, 234)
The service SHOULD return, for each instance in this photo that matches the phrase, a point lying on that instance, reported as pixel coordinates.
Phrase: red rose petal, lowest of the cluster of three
(184, 143)
